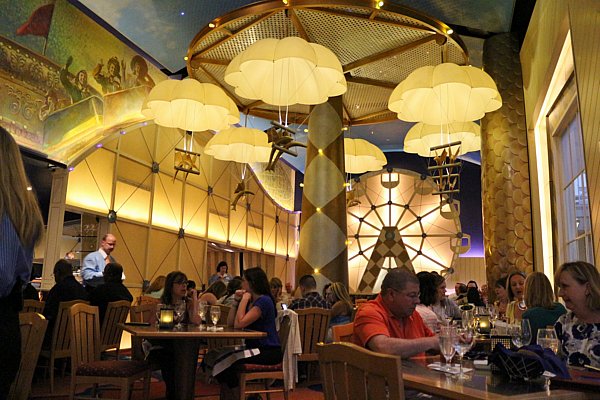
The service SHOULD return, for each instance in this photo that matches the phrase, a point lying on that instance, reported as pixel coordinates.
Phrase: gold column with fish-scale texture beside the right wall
(507, 232)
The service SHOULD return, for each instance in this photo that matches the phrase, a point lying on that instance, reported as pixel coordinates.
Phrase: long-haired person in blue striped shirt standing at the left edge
(21, 227)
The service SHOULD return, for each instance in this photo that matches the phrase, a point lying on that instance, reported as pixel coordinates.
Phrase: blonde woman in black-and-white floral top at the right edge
(579, 329)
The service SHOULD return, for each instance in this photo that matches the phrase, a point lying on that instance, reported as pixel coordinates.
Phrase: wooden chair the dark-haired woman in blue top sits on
(266, 373)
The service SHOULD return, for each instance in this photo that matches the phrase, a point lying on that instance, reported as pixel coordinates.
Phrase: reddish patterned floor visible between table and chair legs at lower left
(41, 390)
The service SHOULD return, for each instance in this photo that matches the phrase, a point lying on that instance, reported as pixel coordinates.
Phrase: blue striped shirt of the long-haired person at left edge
(15, 259)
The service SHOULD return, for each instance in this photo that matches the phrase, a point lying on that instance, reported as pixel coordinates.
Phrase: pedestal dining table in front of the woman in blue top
(187, 340)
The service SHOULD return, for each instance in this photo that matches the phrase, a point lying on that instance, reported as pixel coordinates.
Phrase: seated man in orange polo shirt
(389, 324)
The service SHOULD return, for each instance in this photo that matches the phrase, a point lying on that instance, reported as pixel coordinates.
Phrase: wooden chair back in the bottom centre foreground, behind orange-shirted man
(353, 372)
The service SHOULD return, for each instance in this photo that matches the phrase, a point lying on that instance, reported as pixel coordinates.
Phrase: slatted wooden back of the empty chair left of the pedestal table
(85, 334)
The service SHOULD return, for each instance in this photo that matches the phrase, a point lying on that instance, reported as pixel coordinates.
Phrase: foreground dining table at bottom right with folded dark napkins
(482, 384)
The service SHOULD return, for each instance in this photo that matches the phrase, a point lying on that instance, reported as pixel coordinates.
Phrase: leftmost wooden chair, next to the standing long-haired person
(33, 328)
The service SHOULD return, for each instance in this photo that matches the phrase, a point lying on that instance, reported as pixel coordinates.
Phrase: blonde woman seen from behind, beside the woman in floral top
(542, 310)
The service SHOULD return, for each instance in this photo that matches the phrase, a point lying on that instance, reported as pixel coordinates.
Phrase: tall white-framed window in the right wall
(571, 201)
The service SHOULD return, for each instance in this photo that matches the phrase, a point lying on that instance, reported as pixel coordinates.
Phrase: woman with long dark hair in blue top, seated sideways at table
(255, 311)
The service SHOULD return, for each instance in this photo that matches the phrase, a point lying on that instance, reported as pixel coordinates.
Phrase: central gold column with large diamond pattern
(323, 226)
